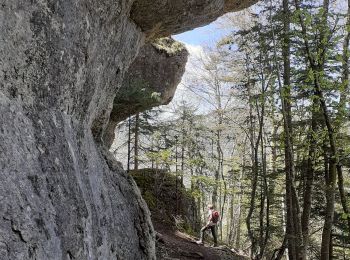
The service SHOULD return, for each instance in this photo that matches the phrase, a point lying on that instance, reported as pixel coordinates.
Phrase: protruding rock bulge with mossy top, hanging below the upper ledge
(151, 81)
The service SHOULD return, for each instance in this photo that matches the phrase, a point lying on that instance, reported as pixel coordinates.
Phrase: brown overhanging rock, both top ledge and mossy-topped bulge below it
(157, 19)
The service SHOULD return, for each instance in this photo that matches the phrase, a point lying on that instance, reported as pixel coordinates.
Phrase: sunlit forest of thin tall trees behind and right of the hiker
(262, 131)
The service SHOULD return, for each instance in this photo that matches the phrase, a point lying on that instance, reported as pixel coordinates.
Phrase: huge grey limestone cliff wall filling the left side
(63, 196)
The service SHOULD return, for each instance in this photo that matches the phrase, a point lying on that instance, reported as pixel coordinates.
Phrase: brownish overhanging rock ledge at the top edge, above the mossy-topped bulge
(162, 18)
